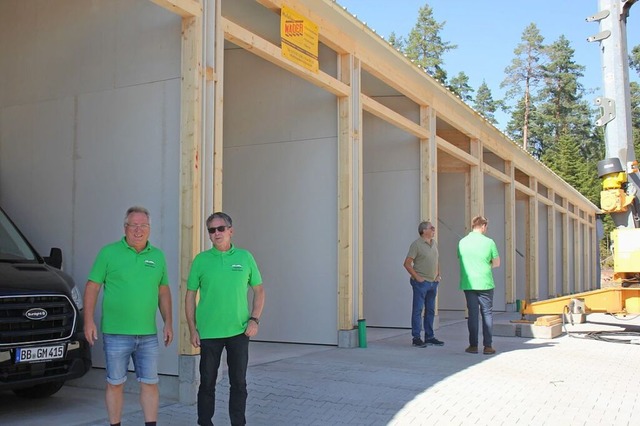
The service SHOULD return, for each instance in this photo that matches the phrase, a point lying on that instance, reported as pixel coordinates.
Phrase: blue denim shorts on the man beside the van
(143, 350)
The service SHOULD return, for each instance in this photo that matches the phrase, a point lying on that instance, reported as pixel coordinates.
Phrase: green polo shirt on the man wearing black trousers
(223, 278)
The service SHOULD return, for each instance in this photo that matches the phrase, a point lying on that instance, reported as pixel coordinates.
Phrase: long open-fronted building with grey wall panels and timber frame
(177, 104)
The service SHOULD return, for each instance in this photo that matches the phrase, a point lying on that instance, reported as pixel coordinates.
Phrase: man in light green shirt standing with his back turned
(478, 255)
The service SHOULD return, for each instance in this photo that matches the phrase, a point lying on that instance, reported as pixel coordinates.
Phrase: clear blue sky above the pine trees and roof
(487, 32)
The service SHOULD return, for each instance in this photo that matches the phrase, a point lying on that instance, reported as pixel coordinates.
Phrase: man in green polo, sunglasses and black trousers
(222, 320)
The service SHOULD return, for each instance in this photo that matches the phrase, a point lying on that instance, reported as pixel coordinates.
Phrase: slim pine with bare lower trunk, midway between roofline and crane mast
(522, 77)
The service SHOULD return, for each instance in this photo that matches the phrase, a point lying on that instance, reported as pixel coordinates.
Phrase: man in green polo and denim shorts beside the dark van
(133, 274)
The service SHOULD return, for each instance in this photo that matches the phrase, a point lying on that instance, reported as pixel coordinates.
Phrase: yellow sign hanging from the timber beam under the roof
(299, 39)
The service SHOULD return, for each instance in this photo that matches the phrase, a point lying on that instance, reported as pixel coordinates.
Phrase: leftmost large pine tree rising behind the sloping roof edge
(425, 46)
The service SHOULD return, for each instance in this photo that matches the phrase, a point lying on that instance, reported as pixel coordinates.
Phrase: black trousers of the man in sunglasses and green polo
(237, 360)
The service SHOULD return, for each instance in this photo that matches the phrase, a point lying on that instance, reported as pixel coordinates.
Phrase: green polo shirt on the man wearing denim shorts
(131, 282)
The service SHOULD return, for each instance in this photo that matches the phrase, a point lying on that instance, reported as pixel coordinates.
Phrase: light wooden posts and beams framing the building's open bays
(453, 139)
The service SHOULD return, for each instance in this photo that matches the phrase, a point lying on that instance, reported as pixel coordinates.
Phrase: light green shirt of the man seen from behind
(475, 252)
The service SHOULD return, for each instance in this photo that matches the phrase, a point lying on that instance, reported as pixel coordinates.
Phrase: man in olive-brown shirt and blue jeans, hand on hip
(422, 263)
